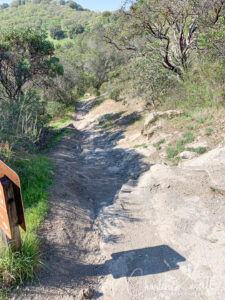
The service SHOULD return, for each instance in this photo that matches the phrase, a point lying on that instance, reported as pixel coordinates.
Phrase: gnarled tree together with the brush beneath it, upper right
(167, 44)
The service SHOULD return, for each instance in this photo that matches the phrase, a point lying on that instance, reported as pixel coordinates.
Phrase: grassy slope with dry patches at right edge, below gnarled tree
(201, 97)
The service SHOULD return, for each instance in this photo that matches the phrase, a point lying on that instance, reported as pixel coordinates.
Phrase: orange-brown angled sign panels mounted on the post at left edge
(4, 222)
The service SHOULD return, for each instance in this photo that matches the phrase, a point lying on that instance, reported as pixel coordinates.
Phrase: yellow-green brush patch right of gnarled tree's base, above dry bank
(202, 87)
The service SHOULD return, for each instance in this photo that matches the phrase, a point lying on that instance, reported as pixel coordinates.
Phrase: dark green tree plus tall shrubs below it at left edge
(26, 62)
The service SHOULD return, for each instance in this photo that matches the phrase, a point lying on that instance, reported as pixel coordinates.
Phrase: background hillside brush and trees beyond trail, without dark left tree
(169, 52)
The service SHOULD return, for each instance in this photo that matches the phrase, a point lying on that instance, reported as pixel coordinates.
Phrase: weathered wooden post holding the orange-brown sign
(15, 242)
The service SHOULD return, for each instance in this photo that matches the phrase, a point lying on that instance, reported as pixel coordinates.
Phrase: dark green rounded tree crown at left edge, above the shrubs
(25, 56)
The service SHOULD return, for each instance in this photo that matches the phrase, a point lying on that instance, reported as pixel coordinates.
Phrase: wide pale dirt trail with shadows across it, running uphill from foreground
(127, 228)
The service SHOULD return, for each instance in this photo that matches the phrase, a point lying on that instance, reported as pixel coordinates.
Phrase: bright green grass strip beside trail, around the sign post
(35, 173)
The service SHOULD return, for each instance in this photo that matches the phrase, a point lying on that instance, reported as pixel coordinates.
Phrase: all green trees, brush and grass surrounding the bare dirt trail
(171, 53)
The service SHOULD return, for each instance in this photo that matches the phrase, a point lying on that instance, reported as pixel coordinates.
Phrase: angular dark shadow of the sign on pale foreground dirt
(137, 262)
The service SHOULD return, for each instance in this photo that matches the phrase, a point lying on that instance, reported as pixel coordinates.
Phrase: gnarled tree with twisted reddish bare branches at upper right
(165, 30)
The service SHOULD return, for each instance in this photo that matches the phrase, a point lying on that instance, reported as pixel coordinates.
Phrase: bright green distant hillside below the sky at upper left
(45, 15)
